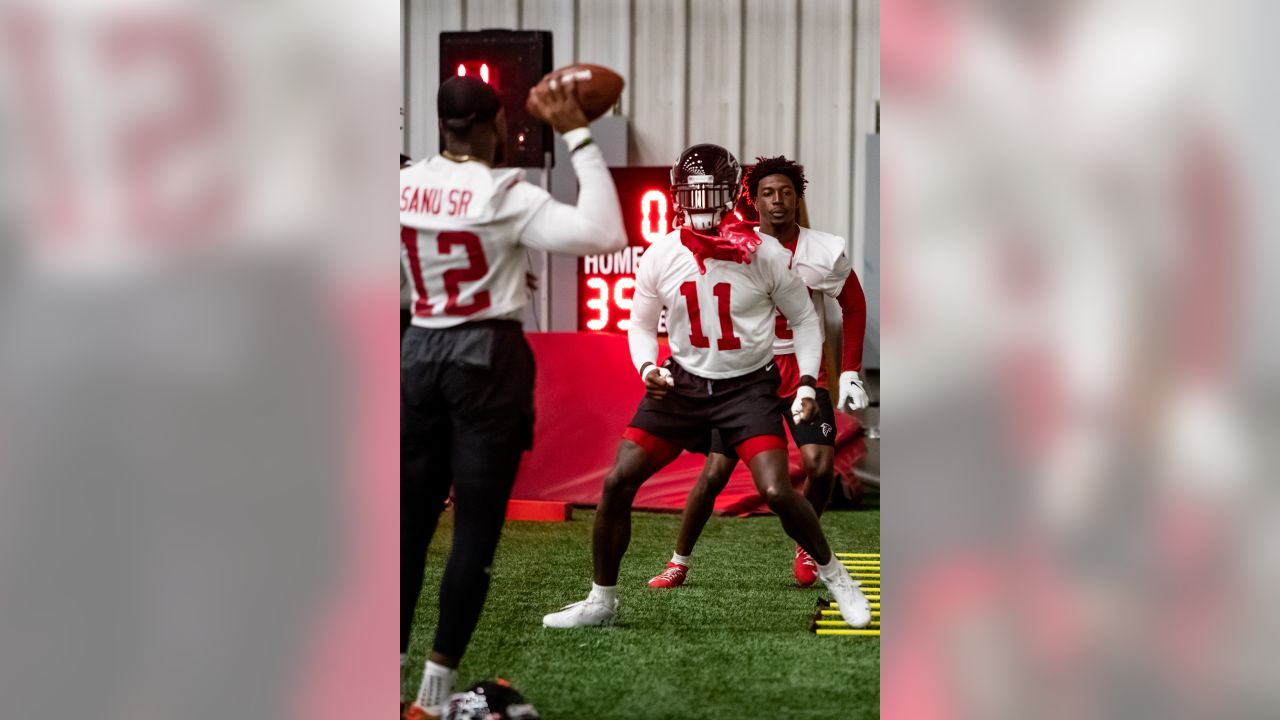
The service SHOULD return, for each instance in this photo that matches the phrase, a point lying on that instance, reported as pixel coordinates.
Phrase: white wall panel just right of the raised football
(660, 79)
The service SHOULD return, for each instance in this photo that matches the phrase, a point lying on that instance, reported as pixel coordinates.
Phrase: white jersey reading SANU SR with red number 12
(465, 229)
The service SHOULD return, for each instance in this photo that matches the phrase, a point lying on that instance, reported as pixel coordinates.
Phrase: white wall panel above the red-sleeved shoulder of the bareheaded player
(828, 112)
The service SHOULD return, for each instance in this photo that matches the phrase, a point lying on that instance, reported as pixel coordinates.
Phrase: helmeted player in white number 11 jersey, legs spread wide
(720, 282)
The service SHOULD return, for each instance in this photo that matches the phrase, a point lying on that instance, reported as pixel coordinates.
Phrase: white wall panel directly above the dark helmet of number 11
(716, 74)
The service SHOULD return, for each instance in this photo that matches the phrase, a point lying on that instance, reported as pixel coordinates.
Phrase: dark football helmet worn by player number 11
(706, 183)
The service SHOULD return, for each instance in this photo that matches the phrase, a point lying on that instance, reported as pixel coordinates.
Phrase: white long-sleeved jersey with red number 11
(720, 325)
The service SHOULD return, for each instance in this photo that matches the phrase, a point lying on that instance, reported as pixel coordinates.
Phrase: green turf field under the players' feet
(733, 642)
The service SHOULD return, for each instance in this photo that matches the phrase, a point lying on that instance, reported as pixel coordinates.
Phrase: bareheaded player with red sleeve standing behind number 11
(775, 188)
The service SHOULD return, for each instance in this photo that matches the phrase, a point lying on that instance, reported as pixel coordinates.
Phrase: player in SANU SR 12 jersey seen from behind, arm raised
(467, 371)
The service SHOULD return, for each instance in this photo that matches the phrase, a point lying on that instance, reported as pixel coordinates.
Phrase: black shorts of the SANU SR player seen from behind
(472, 388)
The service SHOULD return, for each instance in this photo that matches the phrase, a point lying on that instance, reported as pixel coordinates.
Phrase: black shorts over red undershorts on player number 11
(739, 408)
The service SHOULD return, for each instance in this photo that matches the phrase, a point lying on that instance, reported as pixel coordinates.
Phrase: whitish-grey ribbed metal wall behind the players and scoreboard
(756, 76)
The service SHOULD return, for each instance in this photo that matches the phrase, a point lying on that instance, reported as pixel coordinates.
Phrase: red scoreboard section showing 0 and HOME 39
(607, 282)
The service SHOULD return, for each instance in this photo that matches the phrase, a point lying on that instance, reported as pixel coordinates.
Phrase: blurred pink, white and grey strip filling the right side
(1078, 290)
